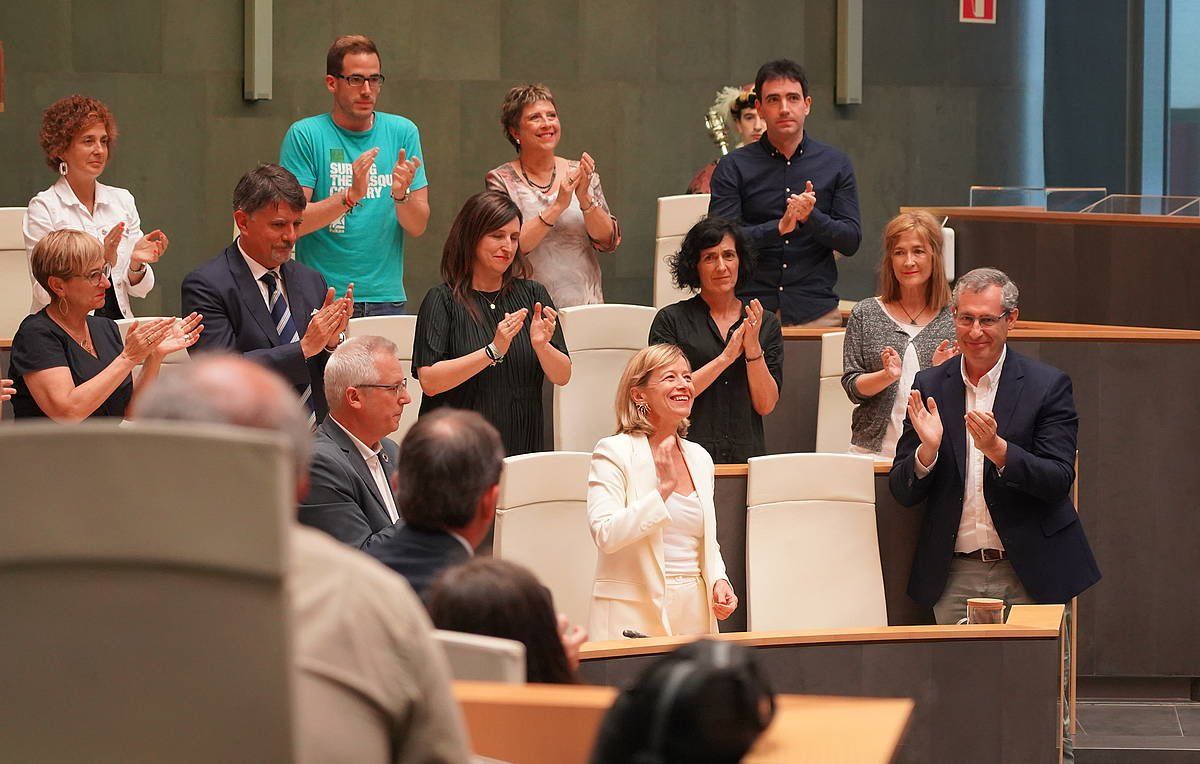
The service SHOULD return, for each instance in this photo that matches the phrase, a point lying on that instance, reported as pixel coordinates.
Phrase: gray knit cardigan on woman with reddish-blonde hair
(868, 332)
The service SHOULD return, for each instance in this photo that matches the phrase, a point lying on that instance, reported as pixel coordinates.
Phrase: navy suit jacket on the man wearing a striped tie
(237, 320)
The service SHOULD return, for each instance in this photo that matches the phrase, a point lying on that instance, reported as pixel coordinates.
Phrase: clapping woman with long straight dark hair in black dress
(472, 348)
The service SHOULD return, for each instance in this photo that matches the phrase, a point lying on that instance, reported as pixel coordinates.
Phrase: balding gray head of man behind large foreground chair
(231, 390)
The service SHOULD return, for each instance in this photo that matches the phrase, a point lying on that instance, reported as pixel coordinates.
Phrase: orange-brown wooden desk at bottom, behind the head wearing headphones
(557, 725)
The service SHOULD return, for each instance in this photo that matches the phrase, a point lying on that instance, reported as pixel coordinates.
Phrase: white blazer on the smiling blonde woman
(627, 516)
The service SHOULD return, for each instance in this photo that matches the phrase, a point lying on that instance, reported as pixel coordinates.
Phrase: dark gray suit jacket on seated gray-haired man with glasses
(344, 500)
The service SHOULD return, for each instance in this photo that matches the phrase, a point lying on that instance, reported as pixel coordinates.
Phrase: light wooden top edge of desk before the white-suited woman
(1033, 627)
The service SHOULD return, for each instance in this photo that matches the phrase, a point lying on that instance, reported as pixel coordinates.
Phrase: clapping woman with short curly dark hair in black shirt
(736, 348)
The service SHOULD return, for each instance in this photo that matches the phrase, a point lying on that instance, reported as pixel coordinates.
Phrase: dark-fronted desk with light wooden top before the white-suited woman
(983, 694)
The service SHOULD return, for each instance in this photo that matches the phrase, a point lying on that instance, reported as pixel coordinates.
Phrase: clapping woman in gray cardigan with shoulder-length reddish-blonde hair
(891, 338)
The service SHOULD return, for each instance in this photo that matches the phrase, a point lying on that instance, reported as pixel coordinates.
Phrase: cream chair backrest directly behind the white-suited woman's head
(602, 339)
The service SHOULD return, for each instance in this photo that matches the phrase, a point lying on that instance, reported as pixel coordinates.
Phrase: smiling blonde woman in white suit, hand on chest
(659, 569)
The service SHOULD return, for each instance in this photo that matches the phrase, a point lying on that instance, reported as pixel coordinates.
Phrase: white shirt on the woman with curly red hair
(58, 209)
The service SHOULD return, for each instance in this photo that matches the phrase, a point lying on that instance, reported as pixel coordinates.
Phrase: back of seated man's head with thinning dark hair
(448, 461)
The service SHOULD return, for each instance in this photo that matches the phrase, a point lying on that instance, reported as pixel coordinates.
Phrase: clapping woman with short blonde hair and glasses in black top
(68, 365)
